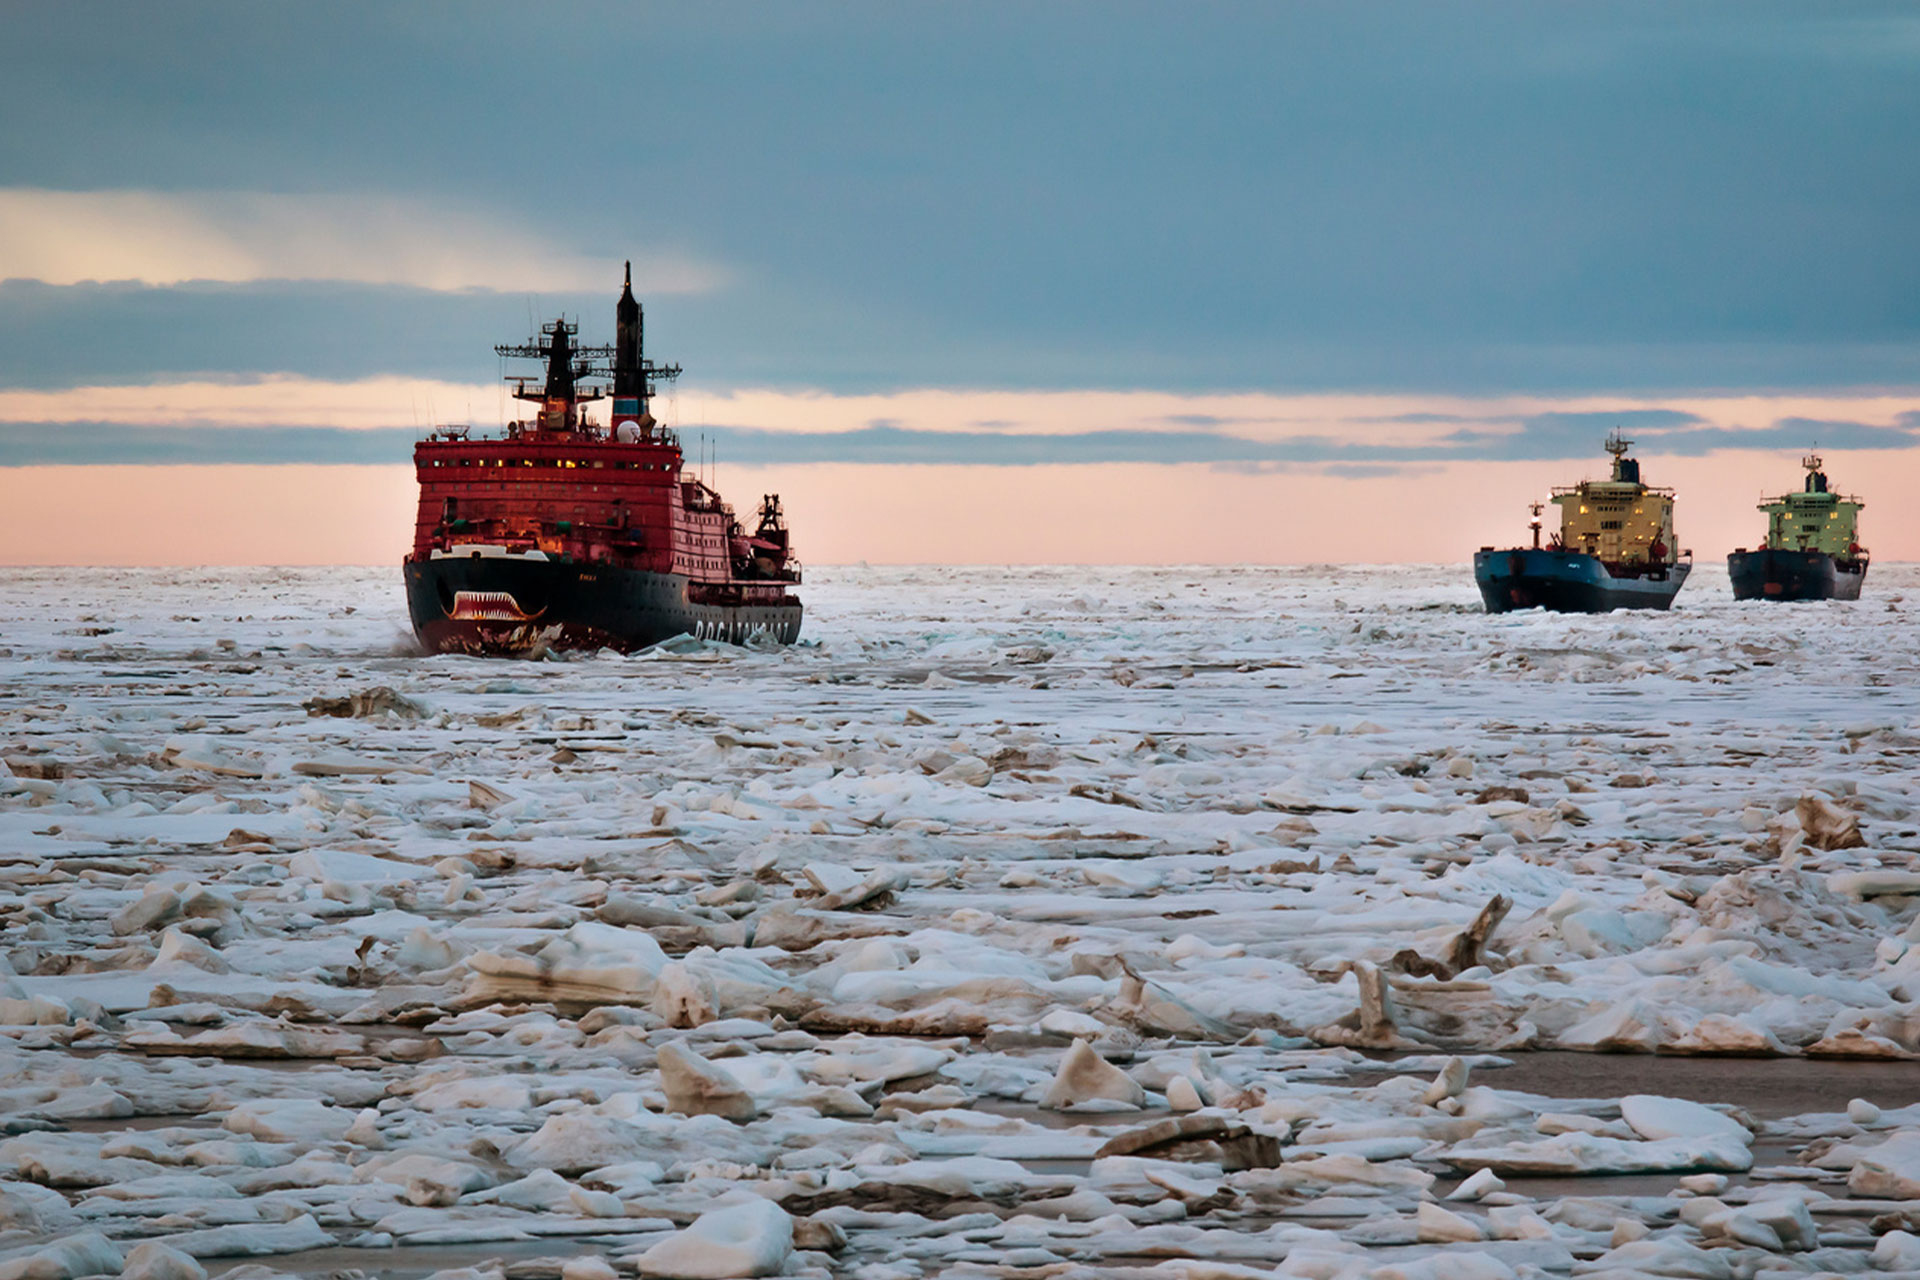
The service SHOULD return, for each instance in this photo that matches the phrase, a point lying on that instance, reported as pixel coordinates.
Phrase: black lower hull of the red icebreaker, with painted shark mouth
(519, 605)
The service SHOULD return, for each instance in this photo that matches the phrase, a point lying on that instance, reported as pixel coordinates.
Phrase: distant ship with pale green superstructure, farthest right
(1812, 550)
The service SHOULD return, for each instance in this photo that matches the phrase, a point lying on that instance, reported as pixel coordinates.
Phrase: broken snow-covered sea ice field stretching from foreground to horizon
(1020, 922)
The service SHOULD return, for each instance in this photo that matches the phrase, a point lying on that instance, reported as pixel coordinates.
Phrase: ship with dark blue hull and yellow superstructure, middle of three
(1616, 550)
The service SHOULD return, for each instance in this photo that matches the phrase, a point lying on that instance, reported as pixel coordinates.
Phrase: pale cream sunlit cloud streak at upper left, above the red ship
(160, 239)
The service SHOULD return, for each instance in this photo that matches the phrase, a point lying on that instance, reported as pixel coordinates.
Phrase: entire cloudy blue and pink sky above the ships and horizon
(967, 283)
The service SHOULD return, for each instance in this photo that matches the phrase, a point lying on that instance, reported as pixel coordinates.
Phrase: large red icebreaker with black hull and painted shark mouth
(569, 533)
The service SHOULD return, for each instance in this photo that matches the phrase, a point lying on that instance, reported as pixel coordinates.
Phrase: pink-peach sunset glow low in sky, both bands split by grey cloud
(1109, 513)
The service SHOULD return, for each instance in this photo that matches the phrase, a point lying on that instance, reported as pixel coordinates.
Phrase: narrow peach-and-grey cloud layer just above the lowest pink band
(316, 421)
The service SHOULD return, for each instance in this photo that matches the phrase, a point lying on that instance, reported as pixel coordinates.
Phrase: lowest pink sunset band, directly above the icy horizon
(926, 515)
